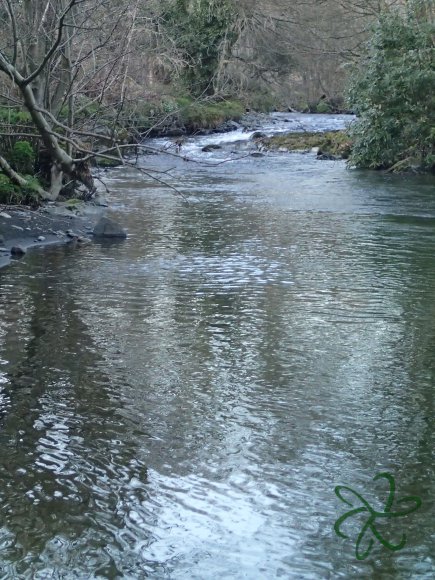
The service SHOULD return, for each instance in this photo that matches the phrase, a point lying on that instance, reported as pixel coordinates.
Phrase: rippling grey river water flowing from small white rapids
(183, 404)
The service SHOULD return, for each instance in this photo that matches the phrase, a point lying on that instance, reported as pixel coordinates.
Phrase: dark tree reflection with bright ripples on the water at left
(68, 469)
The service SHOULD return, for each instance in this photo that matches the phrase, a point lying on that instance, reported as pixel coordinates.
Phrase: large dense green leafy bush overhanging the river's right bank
(393, 92)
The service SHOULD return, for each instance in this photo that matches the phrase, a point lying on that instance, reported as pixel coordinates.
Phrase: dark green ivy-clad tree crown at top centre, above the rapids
(200, 30)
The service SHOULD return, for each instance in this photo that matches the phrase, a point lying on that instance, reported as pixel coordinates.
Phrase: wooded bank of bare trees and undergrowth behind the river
(84, 79)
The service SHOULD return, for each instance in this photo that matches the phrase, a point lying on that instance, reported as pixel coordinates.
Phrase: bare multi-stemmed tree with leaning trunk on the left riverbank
(51, 53)
